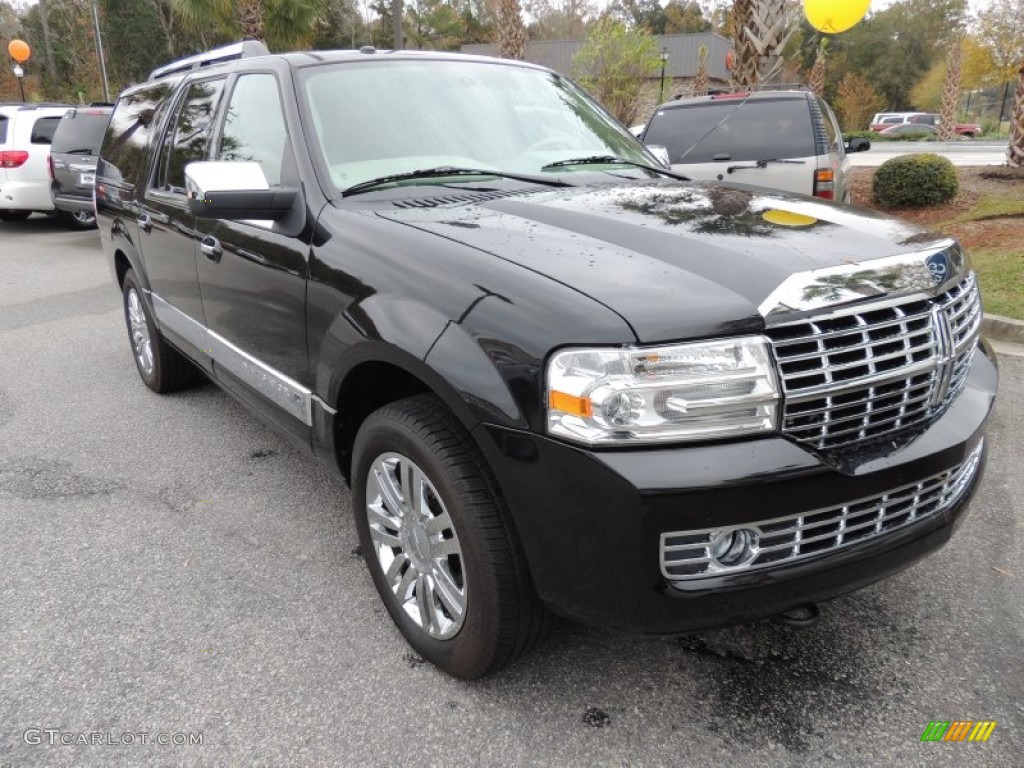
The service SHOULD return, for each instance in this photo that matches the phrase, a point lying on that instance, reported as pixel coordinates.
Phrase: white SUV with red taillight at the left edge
(26, 133)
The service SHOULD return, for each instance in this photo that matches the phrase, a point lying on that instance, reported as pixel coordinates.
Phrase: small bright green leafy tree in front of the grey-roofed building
(614, 65)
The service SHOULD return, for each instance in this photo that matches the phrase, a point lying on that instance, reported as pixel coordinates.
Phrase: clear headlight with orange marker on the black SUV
(681, 393)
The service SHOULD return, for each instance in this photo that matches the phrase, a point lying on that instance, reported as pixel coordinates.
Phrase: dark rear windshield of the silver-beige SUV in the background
(763, 130)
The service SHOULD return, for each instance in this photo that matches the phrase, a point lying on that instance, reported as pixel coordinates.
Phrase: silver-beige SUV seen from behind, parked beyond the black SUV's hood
(785, 140)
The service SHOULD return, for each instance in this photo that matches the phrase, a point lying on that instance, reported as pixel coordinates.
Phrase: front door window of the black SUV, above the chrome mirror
(254, 125)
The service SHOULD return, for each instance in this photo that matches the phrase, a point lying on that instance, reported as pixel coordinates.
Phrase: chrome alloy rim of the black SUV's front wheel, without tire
(416, 545)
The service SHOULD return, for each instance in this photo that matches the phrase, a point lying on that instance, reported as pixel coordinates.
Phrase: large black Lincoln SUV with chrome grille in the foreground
(557, 376)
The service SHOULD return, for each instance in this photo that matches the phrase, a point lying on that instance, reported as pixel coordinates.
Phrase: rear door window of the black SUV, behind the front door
(188, 137)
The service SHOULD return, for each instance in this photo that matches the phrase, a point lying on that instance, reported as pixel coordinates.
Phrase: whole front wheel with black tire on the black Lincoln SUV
(439, 542)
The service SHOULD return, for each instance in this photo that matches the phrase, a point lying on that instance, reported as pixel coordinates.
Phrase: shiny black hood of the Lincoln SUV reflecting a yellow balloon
(675, 261)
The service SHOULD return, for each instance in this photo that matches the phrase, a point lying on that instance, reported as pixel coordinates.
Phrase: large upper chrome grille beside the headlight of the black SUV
(871, 373)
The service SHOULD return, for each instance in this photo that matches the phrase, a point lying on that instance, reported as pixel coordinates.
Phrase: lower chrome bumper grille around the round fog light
(689, 554)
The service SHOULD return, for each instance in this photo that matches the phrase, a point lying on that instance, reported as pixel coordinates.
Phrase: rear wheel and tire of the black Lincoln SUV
(161, 367)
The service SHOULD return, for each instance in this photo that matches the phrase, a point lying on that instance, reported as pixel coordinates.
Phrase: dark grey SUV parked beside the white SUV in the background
(73, 163)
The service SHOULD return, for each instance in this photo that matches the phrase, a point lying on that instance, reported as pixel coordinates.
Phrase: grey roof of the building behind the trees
(558, 55)
